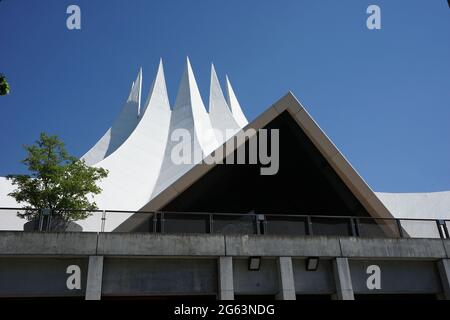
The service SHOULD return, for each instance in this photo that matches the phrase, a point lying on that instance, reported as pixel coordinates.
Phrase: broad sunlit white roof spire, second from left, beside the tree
(134, 167)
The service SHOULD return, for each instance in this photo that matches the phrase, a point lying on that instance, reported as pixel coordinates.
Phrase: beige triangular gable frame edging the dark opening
(322, 142)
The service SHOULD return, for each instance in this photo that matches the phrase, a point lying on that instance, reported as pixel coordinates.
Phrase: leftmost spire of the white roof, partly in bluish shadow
(125, 123)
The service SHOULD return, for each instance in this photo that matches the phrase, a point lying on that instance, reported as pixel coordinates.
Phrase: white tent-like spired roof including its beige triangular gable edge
(137, 152)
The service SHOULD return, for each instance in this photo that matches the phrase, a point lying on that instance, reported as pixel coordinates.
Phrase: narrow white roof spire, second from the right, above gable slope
(221, 117)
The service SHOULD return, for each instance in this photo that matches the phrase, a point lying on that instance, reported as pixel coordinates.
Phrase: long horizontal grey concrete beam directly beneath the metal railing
(147, 244)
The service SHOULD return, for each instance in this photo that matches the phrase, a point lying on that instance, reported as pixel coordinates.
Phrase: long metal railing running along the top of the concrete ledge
(228, 223)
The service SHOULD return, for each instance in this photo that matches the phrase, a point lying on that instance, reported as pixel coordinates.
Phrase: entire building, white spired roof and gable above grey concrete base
(220, 229)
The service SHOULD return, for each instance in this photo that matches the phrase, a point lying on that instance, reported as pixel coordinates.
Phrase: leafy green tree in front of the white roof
(57, 181)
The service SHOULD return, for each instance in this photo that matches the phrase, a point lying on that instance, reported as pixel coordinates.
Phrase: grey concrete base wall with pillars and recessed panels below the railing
(35, 264)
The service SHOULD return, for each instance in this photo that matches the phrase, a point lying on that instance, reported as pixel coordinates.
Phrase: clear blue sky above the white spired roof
(382, 96)
